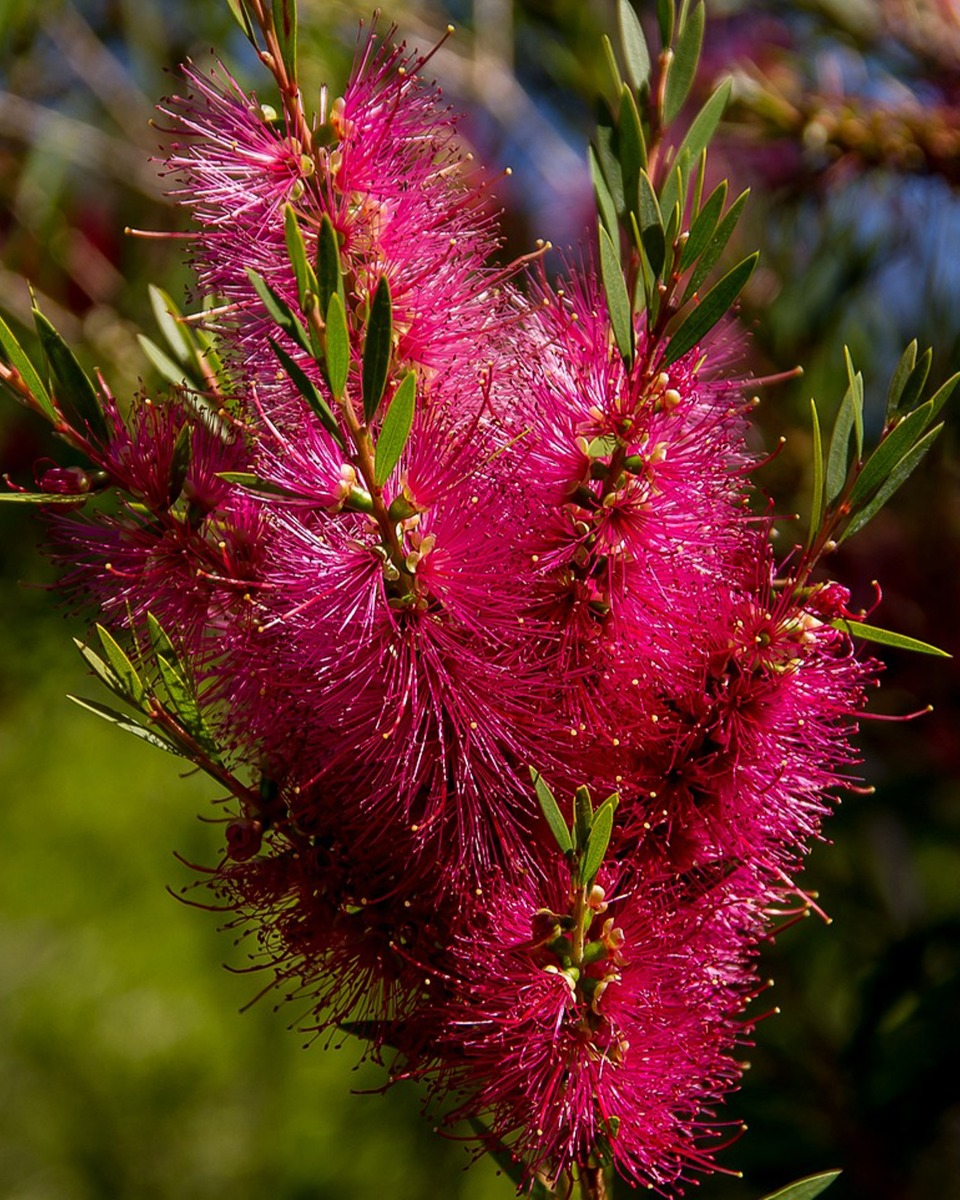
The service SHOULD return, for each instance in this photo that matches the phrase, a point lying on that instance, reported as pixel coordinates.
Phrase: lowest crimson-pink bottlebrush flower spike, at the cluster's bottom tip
(616, 1051)
